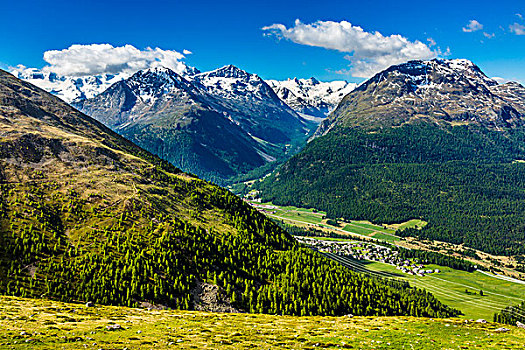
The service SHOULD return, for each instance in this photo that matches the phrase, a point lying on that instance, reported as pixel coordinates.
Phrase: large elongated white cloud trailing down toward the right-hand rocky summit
(369, 52)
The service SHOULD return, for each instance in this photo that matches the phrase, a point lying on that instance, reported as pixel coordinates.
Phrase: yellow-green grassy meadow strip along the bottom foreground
(43, 324)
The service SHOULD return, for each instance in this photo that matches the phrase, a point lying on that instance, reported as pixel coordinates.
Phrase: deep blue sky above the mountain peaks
(230, 32)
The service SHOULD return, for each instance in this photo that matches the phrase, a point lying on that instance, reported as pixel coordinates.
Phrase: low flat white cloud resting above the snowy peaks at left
(94, 59)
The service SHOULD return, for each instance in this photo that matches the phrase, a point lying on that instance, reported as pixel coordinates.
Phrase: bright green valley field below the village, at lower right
(450, 286)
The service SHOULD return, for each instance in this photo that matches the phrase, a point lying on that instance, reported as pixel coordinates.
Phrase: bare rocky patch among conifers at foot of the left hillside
(209, 297)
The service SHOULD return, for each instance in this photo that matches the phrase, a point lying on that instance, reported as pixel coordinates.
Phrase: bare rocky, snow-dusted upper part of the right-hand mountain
(452, 91)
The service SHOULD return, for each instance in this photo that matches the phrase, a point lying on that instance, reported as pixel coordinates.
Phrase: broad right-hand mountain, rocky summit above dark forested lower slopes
(436, 140)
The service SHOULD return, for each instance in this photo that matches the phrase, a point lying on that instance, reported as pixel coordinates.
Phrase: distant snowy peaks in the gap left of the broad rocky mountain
(310, 97)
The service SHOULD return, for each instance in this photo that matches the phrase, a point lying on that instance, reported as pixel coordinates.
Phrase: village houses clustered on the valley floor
(367, 251)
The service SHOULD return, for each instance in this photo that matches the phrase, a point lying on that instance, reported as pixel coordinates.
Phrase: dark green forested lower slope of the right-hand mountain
(462, 180)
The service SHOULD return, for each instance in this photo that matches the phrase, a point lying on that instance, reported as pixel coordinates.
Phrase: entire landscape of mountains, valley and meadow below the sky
(400, 198)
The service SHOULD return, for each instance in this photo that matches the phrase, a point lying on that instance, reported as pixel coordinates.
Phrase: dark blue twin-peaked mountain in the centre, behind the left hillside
(216, 124)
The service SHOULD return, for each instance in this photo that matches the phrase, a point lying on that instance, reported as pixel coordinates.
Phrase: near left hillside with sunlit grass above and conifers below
(86, 215)
